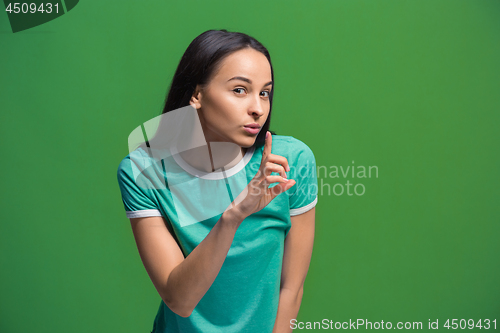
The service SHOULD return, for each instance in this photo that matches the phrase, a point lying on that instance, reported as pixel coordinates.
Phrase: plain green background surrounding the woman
(411, 87)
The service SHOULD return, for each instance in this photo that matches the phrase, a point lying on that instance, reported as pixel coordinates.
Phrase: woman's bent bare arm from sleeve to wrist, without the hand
(182, 282)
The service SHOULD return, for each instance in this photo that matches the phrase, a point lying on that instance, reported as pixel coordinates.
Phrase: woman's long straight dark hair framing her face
(202, 58)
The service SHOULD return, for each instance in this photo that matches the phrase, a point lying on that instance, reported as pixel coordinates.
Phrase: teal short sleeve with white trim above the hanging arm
(305, 195)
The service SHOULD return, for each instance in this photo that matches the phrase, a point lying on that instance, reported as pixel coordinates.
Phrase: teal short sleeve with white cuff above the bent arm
(135, 199)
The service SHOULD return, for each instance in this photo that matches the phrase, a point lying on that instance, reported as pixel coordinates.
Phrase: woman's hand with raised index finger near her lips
(257, 194)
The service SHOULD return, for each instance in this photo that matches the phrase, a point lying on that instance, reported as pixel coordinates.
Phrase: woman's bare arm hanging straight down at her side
(296, 259)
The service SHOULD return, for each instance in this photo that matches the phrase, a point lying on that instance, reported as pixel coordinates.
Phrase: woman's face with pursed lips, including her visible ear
(236, 96)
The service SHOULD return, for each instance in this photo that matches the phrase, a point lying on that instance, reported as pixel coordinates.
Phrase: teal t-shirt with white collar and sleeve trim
(245, 294)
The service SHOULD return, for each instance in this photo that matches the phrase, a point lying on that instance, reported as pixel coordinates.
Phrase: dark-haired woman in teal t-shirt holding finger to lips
(240, 268)
